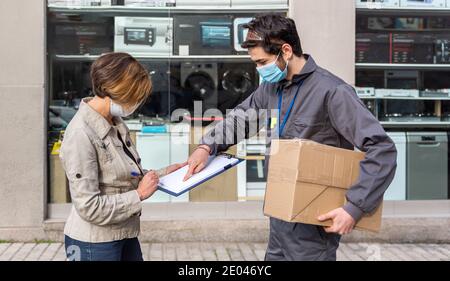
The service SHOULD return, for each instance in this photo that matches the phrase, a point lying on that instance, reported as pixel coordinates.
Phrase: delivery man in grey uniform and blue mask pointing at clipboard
(313, 104)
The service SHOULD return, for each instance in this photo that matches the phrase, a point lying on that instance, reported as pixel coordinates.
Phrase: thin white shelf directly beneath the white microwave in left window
(94, 57)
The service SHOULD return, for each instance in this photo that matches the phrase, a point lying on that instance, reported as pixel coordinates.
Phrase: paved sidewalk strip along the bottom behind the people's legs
(235, 252)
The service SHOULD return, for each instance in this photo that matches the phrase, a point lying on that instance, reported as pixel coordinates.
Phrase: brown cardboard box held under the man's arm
(307, 179)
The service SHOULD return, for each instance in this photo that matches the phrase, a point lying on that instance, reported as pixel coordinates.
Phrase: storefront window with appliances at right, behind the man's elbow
(402, 69)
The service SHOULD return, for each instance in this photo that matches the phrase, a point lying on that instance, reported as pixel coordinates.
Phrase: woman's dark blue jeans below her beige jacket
(122, 250)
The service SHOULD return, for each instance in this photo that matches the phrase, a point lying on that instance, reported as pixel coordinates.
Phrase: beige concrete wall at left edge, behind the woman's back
(22, 115)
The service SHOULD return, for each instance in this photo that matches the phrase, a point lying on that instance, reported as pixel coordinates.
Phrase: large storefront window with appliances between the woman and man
(192, 53)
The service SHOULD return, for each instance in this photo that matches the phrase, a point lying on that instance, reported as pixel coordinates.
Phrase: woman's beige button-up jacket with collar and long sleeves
(106, 205)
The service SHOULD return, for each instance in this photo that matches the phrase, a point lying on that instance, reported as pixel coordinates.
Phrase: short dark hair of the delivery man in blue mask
(274, 30)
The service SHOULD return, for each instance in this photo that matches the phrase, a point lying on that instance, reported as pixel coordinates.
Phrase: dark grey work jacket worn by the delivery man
(327, 110)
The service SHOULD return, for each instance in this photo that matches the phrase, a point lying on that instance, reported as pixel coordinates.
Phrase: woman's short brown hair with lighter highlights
(122, 78)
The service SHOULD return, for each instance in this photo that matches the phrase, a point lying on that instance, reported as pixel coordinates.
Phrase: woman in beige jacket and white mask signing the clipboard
(107, 182)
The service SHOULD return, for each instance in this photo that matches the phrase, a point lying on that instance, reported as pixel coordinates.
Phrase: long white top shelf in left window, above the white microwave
(171, 10)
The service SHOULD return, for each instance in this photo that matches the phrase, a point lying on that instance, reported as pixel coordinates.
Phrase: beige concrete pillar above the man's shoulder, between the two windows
(327, 32)
